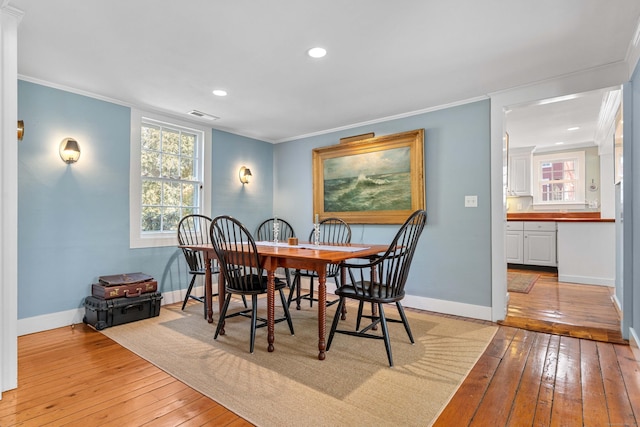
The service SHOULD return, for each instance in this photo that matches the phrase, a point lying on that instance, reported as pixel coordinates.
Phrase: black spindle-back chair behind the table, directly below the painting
(332, 230)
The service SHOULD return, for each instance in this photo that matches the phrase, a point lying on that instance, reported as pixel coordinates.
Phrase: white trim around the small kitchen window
(579, 203)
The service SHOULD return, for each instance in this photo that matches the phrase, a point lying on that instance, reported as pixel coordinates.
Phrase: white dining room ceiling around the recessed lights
(383, 60)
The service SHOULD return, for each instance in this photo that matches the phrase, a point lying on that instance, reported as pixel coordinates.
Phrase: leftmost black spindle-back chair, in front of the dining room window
(194, 230)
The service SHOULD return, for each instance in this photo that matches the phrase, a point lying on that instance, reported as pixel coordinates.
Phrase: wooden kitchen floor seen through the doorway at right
(582, 311)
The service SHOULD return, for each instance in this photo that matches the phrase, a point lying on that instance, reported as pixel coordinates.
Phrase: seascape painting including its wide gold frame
(372, 181)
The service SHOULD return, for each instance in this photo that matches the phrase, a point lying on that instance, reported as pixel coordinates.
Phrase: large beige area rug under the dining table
(291, 387)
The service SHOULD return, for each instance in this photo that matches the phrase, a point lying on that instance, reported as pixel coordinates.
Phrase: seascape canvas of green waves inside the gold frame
(376, 181)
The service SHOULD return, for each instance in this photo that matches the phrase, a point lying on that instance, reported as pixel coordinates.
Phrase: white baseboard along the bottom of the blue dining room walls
(46, 322)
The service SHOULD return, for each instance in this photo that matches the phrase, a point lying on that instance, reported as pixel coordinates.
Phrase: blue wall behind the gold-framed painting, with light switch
(453, 261)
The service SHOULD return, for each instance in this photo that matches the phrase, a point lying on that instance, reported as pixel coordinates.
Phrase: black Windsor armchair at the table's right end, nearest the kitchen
(381, 281)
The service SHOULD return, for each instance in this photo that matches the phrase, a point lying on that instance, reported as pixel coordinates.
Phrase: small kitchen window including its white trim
(559, 179)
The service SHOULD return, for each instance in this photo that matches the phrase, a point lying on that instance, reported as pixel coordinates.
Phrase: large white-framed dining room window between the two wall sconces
(167, 178)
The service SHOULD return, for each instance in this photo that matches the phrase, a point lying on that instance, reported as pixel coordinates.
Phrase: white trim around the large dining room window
(149, 240)
